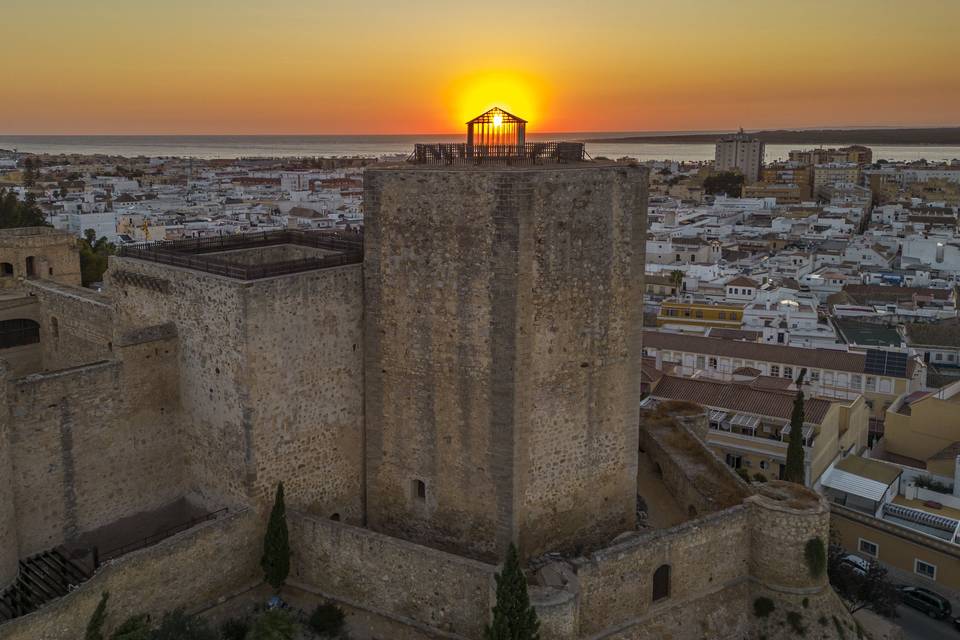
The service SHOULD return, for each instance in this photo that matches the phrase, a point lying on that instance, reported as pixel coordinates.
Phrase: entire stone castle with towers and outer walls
(463, 376)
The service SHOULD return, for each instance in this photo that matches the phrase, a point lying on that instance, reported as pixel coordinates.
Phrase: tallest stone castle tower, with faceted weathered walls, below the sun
(502, 349)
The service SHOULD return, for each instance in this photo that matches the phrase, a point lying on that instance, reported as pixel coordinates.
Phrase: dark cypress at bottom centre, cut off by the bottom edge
(513, 617)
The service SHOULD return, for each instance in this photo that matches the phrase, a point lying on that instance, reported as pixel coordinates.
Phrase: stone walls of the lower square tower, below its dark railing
(271, 379)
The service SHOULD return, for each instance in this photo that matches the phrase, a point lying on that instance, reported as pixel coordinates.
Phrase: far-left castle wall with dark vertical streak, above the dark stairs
(93, 444)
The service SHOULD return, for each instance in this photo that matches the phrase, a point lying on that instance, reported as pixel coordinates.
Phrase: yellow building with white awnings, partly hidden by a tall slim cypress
(750, 423)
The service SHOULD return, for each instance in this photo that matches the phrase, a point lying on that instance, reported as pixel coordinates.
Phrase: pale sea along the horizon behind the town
(224, 146)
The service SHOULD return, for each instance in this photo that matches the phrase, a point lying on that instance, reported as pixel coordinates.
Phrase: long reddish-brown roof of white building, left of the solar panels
(775, 353)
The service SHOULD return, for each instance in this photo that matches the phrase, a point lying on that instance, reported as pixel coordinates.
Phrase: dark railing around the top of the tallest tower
(507, 154)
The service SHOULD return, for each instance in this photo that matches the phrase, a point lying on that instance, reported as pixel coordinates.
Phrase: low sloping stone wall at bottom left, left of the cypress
(193, 569)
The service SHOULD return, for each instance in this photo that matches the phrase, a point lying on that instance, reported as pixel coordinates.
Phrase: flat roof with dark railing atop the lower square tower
(250, 256)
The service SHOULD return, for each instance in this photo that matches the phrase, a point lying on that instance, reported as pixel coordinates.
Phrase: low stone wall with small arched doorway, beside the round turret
(704, 556)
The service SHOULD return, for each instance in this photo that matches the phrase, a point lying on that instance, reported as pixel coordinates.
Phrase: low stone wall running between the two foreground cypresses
(390, 576)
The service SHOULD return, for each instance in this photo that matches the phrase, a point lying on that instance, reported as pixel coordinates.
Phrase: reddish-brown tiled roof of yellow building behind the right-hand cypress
(739, 397)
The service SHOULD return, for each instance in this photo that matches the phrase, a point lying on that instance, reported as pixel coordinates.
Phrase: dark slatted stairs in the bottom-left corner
(42, 578)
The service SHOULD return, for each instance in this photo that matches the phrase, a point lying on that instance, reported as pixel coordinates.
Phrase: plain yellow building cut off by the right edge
(925, 426)
